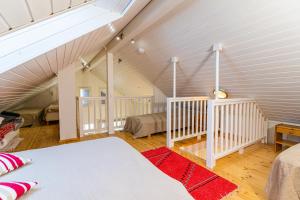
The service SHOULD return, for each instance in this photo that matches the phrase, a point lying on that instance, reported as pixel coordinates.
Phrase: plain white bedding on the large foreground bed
(100, 169)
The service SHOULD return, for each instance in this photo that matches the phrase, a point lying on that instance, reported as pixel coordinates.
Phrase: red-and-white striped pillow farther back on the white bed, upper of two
(9, 162)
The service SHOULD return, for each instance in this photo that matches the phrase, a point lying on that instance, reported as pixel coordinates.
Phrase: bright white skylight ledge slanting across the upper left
(27, 43)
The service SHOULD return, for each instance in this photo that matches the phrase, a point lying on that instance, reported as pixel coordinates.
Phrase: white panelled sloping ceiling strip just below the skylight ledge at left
(26, 78)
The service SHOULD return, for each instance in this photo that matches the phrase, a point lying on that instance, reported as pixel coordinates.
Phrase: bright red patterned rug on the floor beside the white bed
(199, 182)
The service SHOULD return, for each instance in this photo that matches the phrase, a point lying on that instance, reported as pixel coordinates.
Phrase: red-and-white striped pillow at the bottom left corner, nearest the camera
(14, 190)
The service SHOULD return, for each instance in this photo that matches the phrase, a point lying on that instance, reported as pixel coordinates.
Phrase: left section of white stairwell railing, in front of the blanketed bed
(186, 118)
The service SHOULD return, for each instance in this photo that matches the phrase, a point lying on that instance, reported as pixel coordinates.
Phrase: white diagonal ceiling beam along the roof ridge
(152, 13)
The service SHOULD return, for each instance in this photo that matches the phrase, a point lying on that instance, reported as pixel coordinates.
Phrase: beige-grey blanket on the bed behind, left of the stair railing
(144, 125)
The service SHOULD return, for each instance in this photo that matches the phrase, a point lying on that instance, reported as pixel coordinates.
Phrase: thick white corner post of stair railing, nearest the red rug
(210, 157)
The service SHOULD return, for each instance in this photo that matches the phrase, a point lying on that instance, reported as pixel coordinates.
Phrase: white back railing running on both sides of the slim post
(93, 112)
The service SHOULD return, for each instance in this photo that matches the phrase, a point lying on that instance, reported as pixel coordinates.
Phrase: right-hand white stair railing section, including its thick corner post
(233, 124)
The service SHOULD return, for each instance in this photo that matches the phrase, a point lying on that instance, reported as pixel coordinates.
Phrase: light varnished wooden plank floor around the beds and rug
(249, 171)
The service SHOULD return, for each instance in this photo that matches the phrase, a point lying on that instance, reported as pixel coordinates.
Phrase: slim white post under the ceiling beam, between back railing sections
(110, 92)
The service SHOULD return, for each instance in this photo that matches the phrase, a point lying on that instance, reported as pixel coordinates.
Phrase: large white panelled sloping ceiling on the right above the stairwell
(261, 41)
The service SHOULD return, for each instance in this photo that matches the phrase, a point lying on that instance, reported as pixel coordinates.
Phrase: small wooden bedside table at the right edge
(286, 129)
